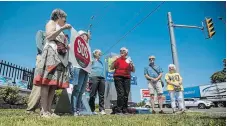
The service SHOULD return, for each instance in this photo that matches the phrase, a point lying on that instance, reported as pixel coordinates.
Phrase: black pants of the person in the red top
(122, 86)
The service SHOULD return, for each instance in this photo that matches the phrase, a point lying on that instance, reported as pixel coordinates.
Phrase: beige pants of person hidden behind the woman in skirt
(34, 98)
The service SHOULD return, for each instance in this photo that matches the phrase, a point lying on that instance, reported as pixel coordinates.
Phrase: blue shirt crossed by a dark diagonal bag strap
(150, 72)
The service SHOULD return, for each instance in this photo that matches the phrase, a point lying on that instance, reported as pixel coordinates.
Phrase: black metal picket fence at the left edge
(17, 72)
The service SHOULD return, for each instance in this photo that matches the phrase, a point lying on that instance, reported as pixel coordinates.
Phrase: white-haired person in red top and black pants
(122, 78)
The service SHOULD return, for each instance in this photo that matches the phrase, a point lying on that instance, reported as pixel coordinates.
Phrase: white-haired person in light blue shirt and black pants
(97, 80)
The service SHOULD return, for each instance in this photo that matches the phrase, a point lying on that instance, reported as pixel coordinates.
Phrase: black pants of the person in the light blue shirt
(97, 84)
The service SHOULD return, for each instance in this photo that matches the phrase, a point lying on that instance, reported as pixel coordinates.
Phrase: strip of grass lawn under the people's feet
(12, 117)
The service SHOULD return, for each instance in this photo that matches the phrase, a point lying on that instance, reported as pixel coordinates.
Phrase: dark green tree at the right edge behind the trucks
(219, 76)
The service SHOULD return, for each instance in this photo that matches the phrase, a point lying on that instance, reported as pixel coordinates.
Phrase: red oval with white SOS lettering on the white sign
(81, 52)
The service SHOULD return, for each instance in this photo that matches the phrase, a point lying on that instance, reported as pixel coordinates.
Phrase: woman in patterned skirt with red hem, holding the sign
(52, 71)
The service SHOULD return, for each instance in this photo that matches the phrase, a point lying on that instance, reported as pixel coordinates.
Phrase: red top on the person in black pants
(122, 68)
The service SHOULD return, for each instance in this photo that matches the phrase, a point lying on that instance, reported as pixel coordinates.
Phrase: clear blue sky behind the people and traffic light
(199, 58)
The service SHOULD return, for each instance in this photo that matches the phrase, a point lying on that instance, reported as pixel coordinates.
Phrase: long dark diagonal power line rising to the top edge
(154, 10)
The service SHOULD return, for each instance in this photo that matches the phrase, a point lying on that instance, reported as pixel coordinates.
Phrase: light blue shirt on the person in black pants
(97, 69)
